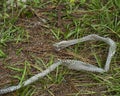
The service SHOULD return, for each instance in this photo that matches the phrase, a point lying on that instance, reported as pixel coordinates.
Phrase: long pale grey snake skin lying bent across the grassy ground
(71, 64)
